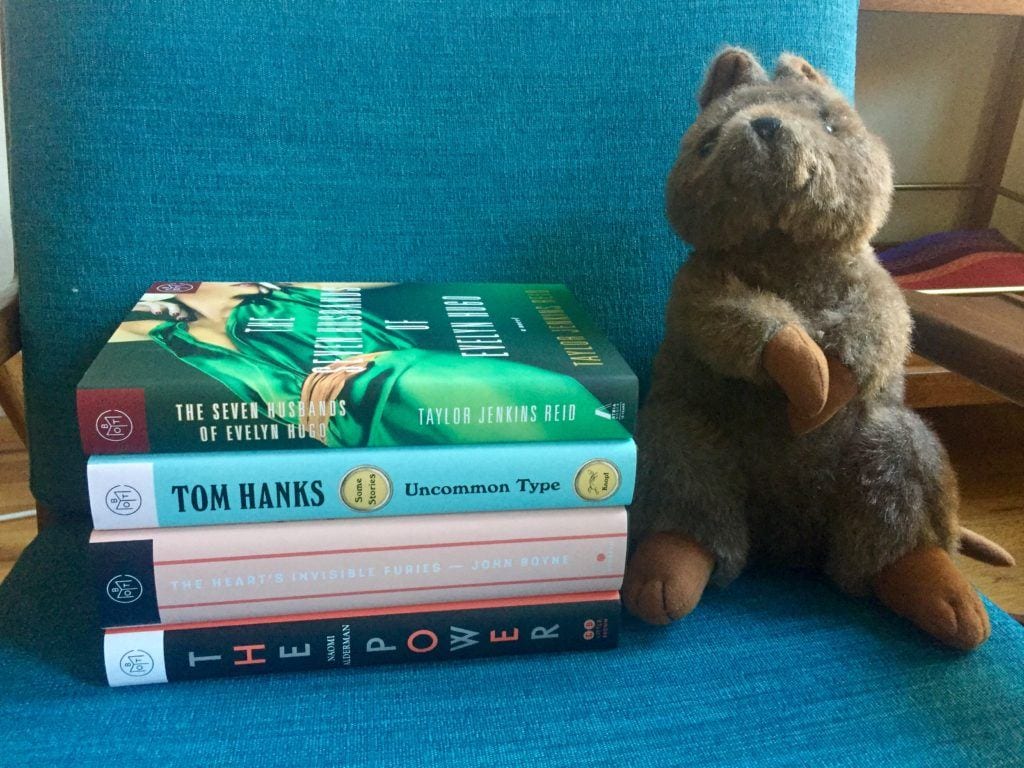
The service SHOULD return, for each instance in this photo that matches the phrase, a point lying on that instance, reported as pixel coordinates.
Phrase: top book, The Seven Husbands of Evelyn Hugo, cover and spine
(259, 366)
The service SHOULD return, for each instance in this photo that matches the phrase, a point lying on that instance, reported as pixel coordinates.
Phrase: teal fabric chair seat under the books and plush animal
(776, 671)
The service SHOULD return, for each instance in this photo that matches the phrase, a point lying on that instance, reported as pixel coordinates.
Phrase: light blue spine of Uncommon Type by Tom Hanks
(181, 490)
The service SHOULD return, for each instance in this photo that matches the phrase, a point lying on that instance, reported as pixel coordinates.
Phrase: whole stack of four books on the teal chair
(289, 477)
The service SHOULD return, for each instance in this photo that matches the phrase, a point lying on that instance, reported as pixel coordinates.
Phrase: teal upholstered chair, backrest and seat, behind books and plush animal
(399, 142)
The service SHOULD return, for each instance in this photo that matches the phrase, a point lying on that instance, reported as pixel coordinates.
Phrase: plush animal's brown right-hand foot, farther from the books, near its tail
(926, 587)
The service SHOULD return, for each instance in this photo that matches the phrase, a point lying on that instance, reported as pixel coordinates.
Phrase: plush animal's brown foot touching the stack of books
(666, 578)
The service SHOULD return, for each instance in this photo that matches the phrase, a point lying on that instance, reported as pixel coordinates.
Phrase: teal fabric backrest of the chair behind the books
(237, 140)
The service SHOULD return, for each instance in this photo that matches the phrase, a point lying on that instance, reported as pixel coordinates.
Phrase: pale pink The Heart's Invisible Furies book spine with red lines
(174, 576)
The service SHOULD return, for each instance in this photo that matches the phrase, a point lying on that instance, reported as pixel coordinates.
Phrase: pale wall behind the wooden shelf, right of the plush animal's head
(927, 84)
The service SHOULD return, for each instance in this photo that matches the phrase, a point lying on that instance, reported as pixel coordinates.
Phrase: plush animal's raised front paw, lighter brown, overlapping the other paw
(796, 363)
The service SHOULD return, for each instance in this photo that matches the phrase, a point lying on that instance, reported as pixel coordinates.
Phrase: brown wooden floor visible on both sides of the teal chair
(987, 444)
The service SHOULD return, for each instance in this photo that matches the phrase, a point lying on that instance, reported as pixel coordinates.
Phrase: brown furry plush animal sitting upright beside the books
(776, 426)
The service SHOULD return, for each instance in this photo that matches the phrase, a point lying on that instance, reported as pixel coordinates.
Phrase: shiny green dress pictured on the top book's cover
(387, 394)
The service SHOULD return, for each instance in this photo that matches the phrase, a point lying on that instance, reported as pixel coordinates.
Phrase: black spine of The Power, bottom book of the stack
(142, 656)
